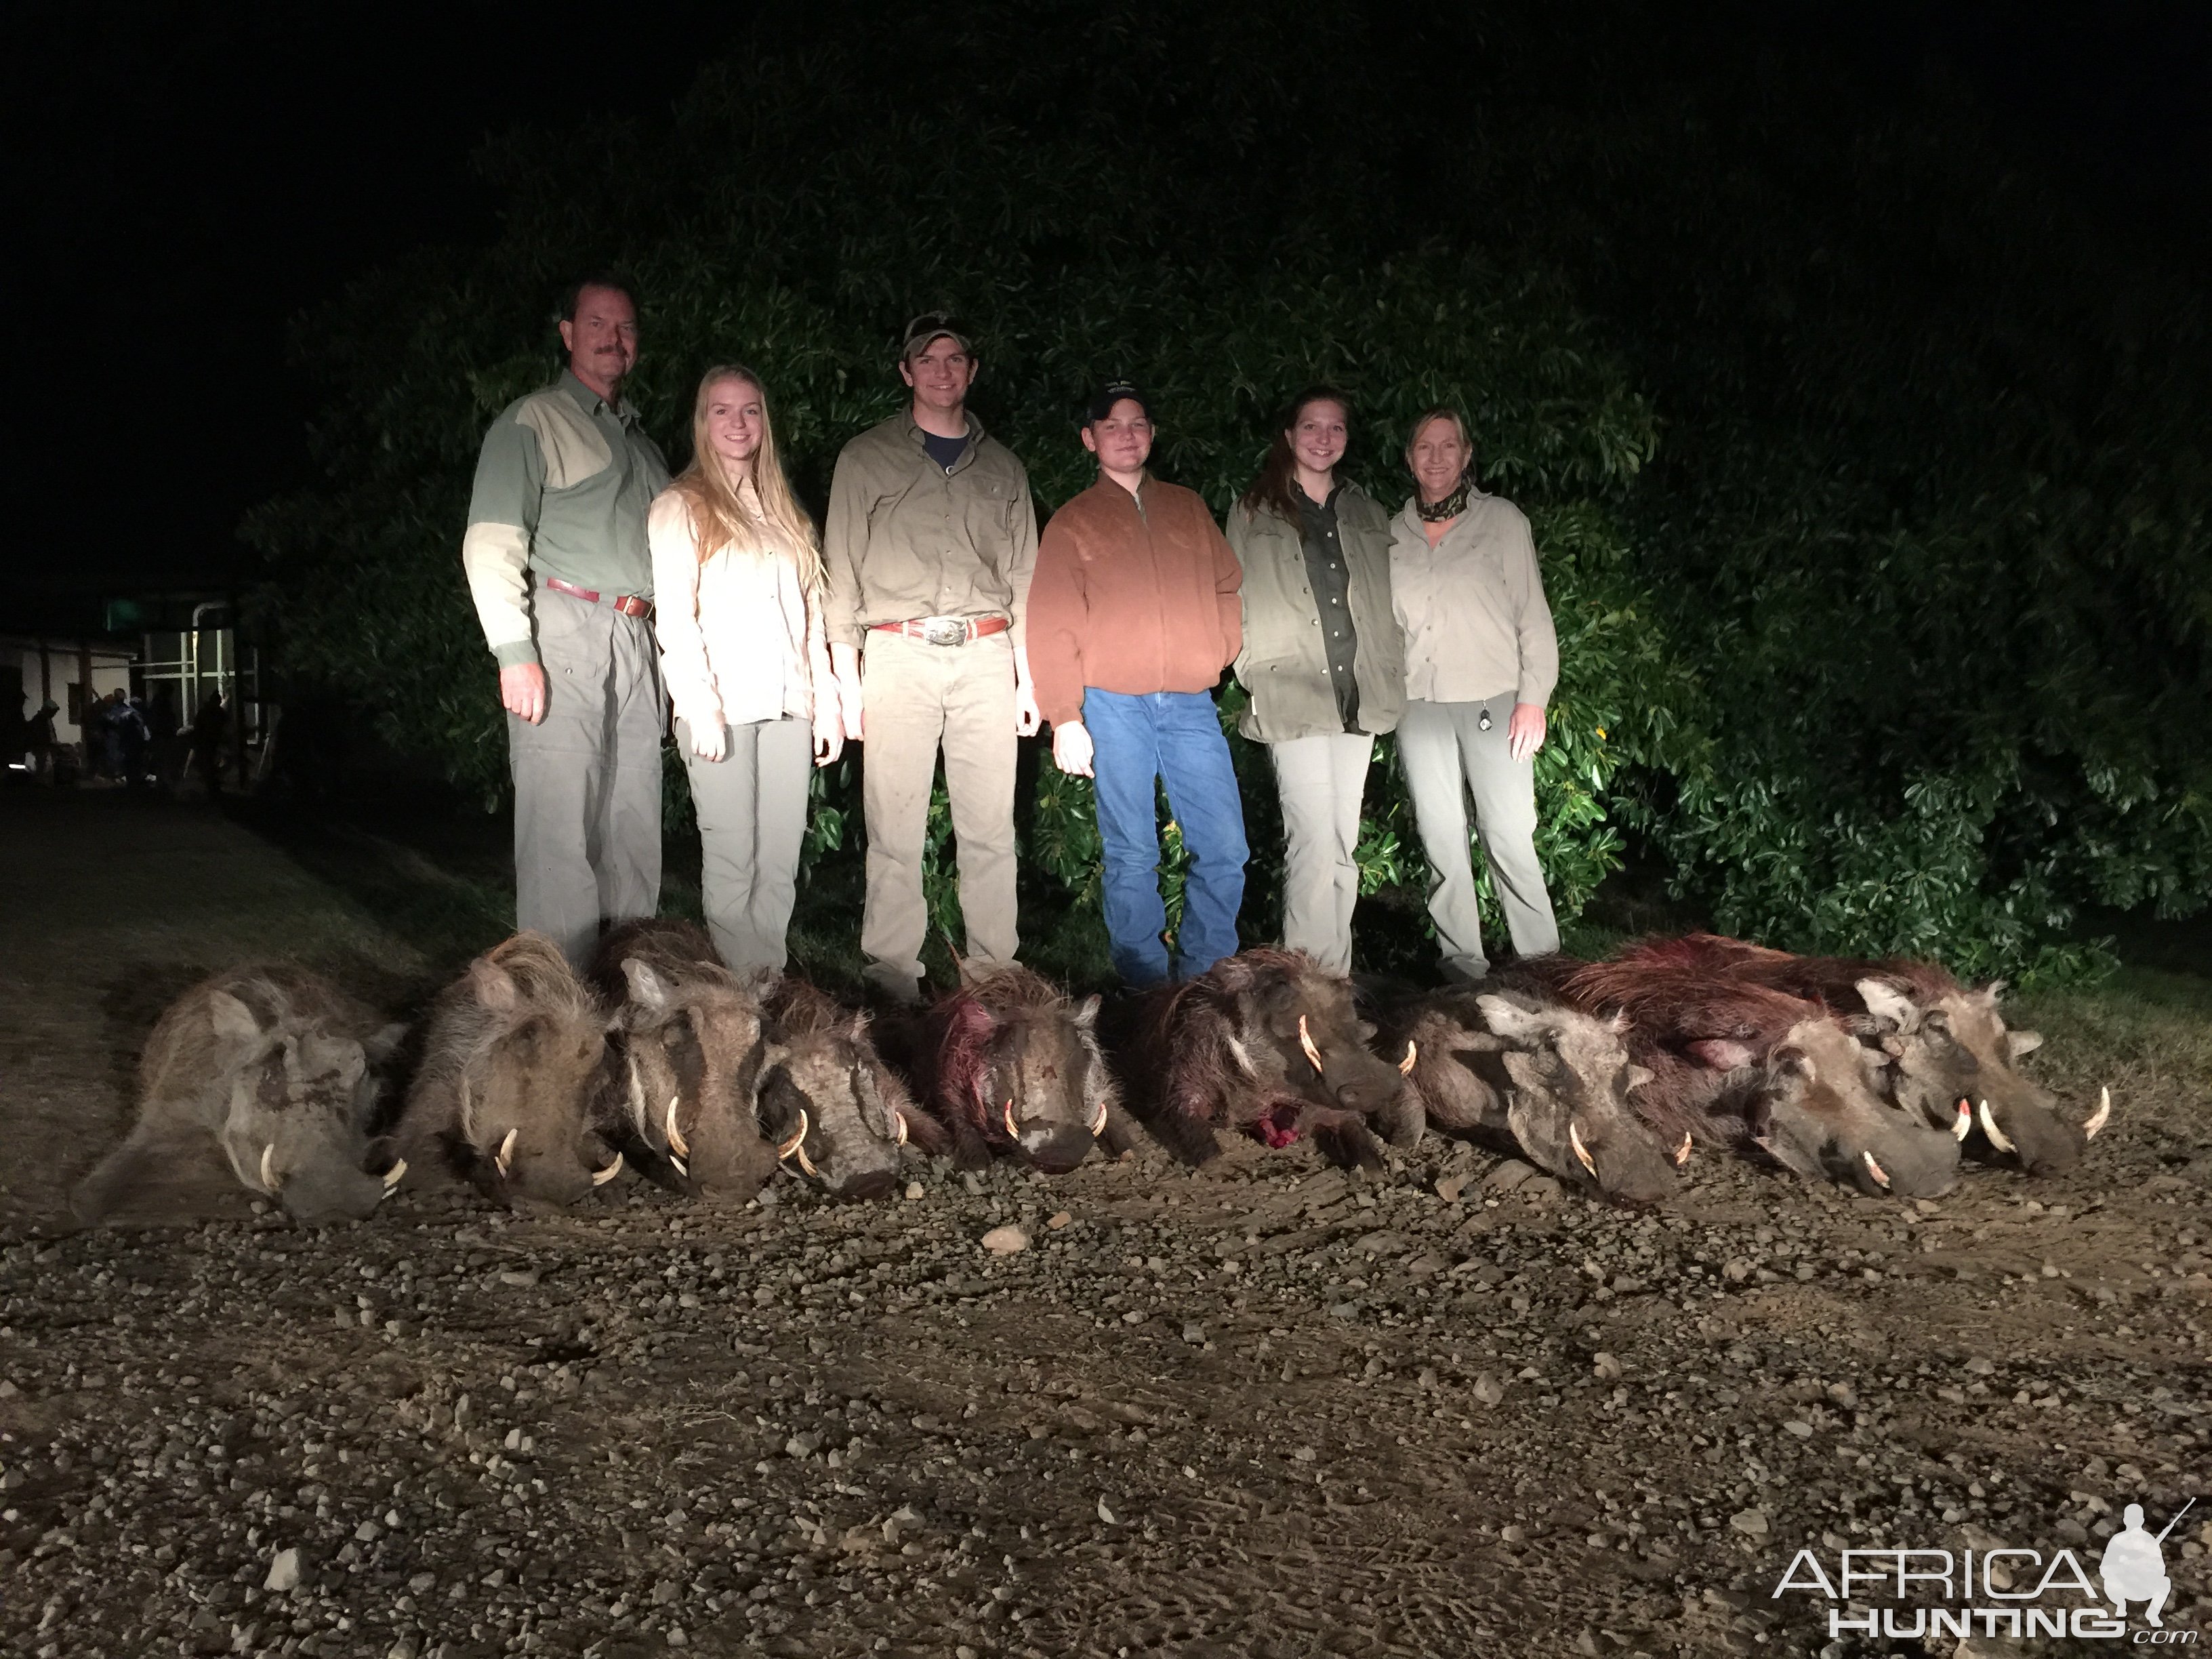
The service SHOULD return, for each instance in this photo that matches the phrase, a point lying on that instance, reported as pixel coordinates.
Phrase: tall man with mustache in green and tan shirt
(563, 583)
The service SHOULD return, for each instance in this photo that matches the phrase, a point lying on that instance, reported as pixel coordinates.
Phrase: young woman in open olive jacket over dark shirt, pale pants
(1319, 660)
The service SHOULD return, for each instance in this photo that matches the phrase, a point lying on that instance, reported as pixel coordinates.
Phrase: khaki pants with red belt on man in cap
(924, 698)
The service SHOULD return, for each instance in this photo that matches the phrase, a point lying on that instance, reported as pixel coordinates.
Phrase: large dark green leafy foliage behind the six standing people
(1895, 645)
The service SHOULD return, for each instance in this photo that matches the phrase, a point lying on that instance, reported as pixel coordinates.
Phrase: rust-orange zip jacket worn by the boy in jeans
(1136, 594)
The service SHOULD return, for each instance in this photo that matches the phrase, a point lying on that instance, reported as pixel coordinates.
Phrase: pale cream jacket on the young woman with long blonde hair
(740, 640)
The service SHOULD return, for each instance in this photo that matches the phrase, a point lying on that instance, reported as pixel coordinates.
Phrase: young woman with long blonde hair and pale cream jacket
(738, 581)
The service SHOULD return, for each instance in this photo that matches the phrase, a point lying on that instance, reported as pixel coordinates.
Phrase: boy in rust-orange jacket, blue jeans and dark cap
(1131, 620)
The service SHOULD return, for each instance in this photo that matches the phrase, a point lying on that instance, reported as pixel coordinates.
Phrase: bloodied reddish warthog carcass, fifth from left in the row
(1012, 1065)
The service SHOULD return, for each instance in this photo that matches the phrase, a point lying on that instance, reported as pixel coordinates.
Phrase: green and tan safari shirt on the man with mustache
(563, 488)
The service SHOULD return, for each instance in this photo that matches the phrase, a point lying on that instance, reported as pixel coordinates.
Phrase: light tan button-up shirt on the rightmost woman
(1472, 607)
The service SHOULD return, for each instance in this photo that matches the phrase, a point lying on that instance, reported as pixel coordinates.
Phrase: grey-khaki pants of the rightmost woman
(1448, 758)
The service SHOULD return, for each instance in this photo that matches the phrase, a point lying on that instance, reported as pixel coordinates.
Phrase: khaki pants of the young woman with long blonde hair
(753, 817)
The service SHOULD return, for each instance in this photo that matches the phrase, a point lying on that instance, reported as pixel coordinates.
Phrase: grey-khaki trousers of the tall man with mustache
(589, 775)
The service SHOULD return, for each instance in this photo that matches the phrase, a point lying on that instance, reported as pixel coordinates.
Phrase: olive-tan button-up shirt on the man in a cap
(908, 539)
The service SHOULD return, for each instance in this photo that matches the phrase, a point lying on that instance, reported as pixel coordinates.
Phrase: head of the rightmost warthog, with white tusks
(1957, 1063)
